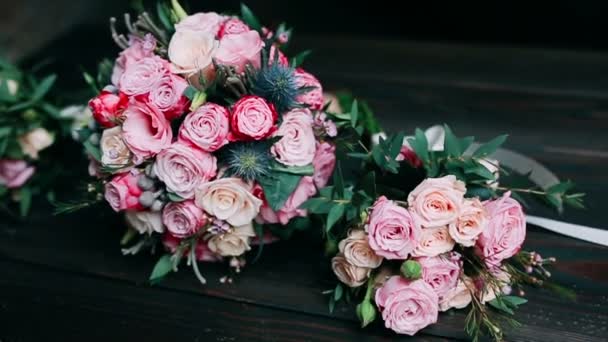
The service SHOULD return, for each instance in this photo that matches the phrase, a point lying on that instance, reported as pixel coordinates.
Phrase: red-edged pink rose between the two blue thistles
(253, 118)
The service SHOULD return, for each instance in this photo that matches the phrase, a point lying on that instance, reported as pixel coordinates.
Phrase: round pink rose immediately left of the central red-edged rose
(207, 127)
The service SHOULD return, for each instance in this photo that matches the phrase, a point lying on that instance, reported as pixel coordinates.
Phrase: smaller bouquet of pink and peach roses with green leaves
(427, 227)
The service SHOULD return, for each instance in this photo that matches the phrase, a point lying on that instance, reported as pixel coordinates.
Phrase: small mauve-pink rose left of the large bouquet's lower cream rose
(183, 219)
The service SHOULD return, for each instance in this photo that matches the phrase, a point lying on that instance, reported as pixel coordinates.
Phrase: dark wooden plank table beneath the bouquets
(63, 278)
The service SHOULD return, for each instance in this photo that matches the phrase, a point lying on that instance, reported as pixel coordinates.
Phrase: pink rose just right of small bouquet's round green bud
(441, 272)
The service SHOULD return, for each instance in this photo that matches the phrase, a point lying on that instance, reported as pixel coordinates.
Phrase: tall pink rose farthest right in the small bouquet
(505, 231)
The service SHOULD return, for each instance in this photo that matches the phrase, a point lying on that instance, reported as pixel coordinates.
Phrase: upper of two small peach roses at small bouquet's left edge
(357, 251)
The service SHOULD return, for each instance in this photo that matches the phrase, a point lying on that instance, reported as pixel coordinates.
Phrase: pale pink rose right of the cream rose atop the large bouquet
(238, 50)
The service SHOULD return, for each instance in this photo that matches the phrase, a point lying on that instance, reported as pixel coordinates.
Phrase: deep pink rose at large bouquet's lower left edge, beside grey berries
(122, 192)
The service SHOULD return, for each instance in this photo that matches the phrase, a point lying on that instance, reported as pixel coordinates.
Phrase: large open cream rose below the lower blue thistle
(229, 199)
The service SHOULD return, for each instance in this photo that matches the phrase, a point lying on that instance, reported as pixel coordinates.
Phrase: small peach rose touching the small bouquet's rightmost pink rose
(471, 222)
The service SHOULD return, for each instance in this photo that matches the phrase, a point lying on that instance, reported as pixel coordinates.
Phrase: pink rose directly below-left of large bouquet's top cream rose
(143, 76)
